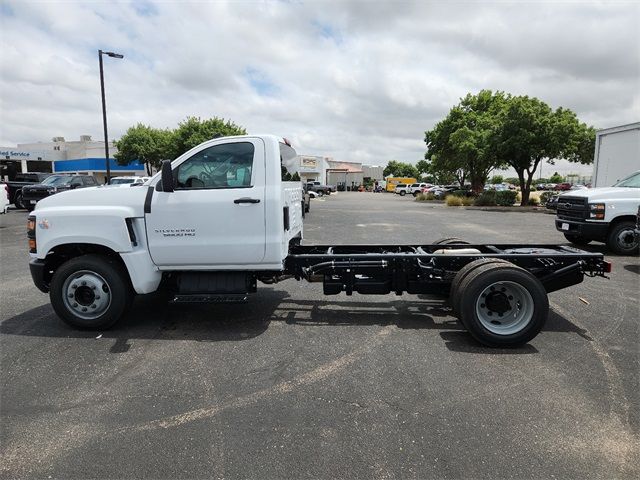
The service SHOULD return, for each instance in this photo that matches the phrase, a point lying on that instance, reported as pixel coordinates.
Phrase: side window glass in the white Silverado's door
(220, 166)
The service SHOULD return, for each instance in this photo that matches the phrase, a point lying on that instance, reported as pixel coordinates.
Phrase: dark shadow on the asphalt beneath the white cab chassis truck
(152, 318)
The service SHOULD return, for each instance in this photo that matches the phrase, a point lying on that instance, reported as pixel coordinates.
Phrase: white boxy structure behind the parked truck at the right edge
(617, 154)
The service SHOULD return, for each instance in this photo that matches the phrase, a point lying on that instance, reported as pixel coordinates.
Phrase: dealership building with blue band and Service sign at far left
(83, 156)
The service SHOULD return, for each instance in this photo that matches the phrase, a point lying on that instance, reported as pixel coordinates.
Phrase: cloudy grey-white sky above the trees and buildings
(354, 80)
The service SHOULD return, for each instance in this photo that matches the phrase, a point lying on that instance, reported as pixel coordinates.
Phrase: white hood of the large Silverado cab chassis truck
(97, 197)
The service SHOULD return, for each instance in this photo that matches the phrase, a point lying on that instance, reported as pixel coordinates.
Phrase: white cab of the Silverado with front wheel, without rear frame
(213, 222)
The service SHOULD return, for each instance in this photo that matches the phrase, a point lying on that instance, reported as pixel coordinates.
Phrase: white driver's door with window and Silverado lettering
(215, 217)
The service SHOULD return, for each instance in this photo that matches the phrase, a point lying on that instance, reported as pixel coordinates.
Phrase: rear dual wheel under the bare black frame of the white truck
(512, 291)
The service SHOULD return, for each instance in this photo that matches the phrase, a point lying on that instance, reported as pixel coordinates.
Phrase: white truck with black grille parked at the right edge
(605, 214)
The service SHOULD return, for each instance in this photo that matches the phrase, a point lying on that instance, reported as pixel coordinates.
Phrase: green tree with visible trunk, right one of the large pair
(530, 132)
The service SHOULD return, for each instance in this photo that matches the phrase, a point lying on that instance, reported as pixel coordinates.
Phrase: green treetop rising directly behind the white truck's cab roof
(193, 131)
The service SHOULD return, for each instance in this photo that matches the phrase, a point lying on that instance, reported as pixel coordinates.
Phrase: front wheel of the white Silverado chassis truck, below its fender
(74, 286)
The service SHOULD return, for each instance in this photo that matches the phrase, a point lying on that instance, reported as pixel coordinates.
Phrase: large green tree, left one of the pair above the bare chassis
(463, 144)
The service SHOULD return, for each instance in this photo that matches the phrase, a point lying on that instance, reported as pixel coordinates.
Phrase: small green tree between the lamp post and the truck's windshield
(144, 143)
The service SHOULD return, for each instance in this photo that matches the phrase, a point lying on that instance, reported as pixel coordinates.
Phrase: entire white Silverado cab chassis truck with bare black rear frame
(219, 219)
